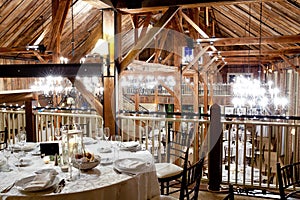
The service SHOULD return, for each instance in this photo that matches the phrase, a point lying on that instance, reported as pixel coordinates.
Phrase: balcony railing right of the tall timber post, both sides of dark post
(254, 147)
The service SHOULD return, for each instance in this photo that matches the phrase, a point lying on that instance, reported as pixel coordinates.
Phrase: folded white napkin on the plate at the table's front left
(40, 181)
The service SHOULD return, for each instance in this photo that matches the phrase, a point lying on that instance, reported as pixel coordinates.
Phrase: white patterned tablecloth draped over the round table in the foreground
(100, 183)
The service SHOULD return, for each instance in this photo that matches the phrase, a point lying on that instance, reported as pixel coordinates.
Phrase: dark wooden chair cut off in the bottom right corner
(288, 177)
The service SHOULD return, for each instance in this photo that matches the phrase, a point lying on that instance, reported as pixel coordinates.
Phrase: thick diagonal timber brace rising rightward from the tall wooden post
(143, 42)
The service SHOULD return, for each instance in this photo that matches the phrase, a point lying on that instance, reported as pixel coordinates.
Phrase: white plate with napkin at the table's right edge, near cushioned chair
(130, 165)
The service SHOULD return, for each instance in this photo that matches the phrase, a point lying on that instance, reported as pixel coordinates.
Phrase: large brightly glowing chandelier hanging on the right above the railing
(258, 98)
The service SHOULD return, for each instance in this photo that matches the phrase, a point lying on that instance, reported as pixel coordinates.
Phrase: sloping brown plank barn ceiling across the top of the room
(242, 31)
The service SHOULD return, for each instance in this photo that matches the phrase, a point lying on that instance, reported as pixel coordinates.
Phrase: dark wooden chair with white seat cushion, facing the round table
(170, 171)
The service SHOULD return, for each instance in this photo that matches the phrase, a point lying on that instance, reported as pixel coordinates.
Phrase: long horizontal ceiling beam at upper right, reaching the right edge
(252, 40)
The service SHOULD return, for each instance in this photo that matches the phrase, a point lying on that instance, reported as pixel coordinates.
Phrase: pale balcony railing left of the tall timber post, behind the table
(47, 122)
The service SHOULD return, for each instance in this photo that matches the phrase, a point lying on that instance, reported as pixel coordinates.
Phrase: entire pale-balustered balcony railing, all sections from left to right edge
(250, 148)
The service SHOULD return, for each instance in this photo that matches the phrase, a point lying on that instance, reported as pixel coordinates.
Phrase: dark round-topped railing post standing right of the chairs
(214, 148)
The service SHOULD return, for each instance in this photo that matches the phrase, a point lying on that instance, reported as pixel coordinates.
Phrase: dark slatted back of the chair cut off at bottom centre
(191, 179)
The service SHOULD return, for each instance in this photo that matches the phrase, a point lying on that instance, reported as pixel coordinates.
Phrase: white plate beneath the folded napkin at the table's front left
(23, 183)
